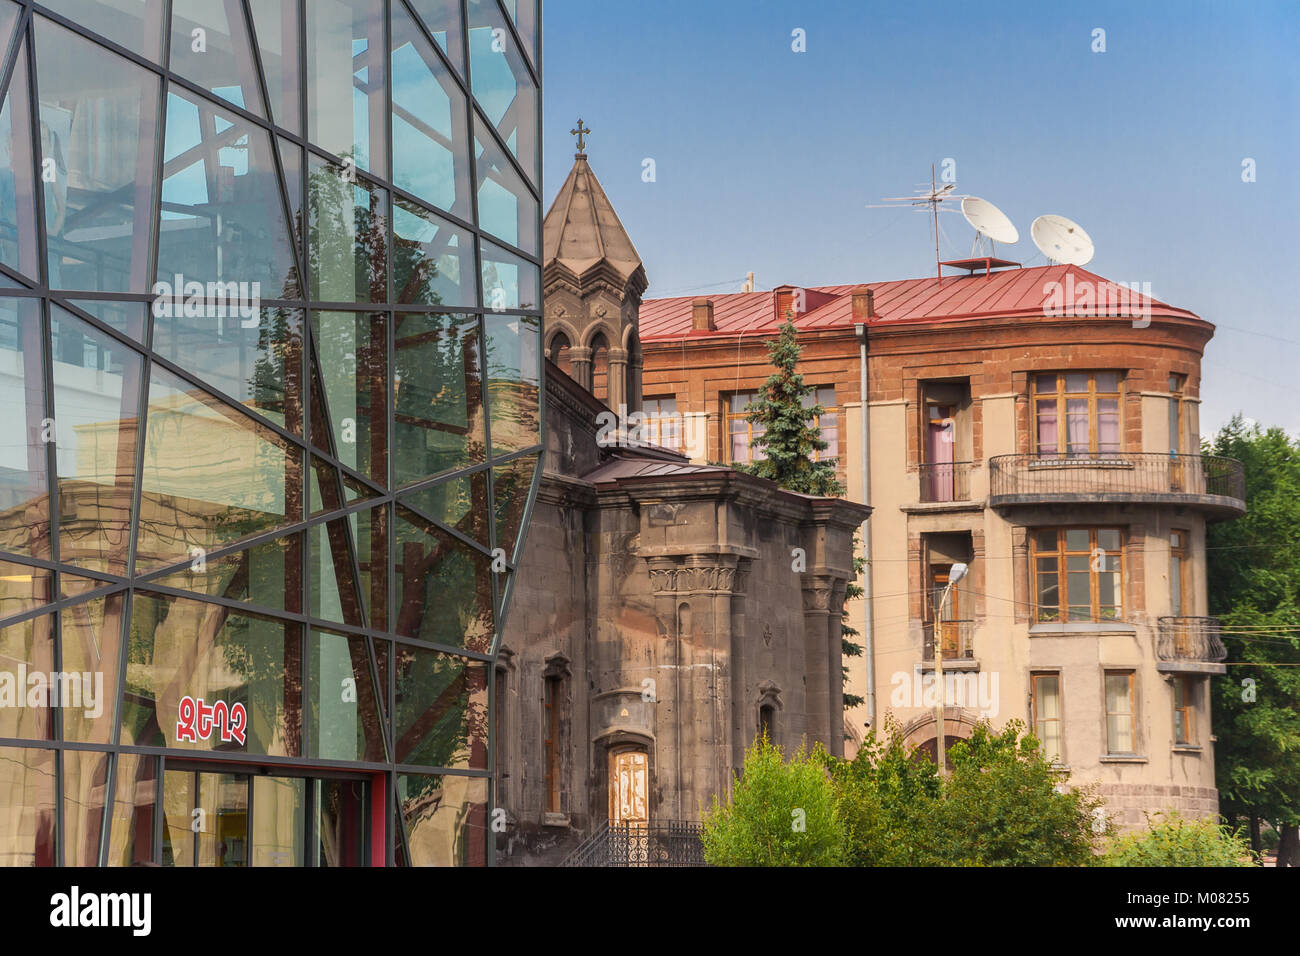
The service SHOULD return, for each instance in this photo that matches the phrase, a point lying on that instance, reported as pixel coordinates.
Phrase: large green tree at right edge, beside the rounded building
(1255, 589)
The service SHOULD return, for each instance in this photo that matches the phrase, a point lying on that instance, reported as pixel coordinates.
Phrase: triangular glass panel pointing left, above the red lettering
(267, 576)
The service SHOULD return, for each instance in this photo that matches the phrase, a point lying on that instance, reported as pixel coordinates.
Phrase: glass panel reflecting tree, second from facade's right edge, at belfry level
(439, 422)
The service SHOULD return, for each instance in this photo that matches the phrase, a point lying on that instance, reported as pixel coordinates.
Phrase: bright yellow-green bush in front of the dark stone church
(779, 814)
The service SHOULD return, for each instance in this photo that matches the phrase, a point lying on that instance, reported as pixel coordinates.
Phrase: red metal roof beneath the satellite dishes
(955, 299)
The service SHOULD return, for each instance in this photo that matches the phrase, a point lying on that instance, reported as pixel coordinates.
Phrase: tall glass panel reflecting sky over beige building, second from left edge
(97, 410)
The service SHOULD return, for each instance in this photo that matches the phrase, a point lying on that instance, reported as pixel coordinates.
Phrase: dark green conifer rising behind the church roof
(790, 438)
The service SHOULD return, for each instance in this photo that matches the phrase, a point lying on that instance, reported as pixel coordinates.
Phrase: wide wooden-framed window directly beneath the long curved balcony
(1078, 574)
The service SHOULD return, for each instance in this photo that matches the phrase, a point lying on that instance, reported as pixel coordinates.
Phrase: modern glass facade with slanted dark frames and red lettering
(270, 378)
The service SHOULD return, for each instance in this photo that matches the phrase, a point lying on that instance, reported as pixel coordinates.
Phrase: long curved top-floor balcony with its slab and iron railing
(1216, 486)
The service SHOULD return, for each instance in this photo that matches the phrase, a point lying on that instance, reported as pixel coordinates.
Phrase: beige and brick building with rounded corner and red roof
(1038, 425)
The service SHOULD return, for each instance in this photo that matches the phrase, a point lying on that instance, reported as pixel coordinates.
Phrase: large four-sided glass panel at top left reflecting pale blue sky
(98, 129)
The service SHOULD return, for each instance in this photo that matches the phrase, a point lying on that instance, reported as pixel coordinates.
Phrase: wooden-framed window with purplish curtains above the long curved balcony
(1077, 414)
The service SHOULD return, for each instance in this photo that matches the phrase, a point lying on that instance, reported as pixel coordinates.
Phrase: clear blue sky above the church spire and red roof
(766, 159)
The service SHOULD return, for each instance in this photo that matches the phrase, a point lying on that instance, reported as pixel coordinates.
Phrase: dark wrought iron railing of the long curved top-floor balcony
(1120, 474)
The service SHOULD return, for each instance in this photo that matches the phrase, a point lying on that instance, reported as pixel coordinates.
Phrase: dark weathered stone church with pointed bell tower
(665, 613)
